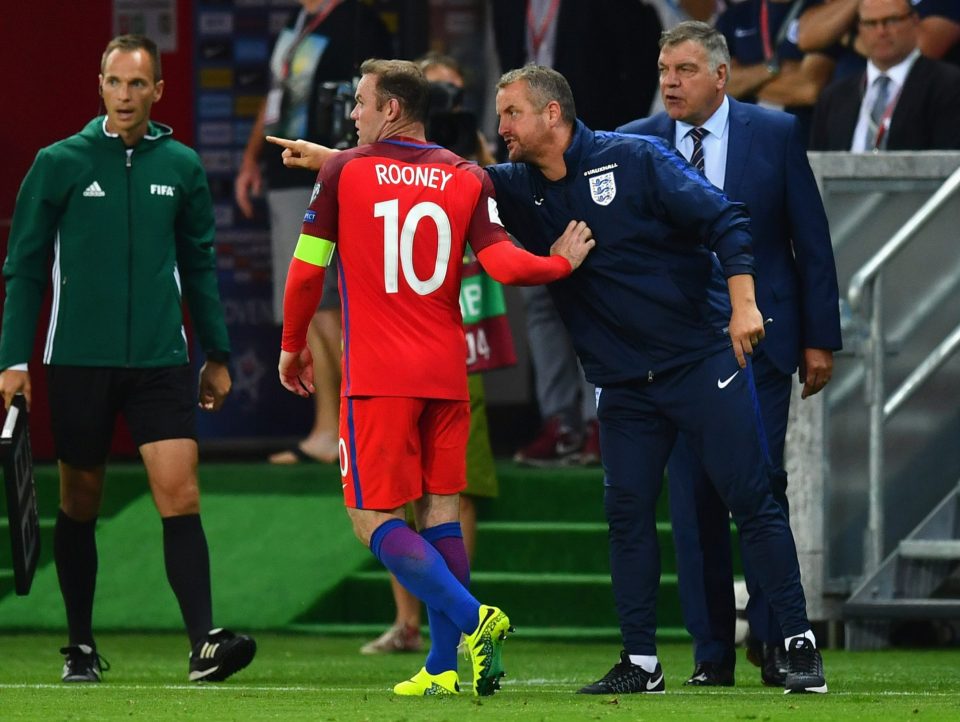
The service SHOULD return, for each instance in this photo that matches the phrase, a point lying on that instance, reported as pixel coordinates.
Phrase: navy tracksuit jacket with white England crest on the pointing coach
(651, 296)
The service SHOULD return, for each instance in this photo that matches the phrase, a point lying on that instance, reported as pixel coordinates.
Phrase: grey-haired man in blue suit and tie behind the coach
(757, 156)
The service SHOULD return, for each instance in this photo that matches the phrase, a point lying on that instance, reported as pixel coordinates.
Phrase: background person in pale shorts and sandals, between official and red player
(318, 51)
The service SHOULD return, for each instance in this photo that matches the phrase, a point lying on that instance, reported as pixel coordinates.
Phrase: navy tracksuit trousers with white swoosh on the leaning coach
(714, 404)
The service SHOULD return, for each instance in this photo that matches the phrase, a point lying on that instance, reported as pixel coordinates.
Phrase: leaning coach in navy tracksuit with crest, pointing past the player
(650, 315)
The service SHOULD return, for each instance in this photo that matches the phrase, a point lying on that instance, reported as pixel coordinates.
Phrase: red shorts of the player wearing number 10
(396, 449)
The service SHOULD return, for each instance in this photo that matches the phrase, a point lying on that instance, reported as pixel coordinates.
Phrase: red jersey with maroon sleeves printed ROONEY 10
(400, 213)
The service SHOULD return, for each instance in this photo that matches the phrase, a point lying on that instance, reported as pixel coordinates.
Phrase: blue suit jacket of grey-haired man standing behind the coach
(796, 277)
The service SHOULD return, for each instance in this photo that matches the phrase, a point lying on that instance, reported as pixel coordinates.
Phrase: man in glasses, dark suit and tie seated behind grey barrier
(903, 101)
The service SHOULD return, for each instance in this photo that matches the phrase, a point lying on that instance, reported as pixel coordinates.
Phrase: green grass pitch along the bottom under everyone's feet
(303, 677)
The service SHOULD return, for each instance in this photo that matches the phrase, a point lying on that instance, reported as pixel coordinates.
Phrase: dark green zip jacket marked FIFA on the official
(124, 235)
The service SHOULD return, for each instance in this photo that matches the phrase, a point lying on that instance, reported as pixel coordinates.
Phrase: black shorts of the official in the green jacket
(157, 403)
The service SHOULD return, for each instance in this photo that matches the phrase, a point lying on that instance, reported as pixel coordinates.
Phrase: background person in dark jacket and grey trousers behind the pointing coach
(601, 47)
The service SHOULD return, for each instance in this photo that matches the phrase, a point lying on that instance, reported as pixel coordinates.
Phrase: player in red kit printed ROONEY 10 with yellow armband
(400, 211)
